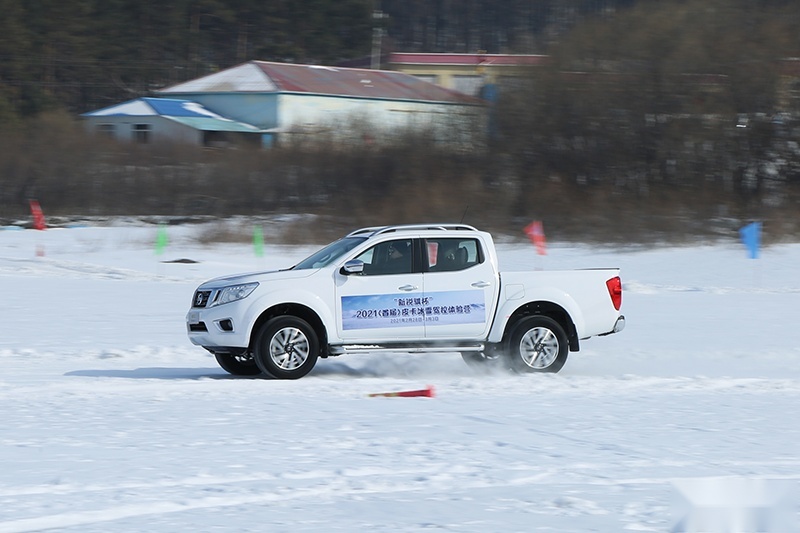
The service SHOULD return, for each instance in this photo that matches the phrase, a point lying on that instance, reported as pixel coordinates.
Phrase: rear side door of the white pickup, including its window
(461, 287)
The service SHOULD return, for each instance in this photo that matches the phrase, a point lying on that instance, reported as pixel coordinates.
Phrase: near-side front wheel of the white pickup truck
(286, 347)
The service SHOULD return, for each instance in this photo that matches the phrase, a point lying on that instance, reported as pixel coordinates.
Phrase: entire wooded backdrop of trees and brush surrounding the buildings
(651, 120)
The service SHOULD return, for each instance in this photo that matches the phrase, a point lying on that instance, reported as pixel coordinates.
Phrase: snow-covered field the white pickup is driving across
(112, 421)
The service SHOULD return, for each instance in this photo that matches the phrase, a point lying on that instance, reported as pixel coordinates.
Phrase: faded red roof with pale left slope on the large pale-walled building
(267, 77)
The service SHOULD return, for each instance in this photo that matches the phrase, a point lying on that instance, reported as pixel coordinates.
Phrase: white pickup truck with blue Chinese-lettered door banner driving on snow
(412, 288)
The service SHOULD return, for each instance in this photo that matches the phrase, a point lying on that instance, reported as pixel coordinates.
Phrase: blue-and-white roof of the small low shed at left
(184, 111)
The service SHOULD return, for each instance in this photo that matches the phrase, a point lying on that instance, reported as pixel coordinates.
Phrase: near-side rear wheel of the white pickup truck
(537, 344)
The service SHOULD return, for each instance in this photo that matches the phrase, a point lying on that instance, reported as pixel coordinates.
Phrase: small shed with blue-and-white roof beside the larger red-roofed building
(151, 120)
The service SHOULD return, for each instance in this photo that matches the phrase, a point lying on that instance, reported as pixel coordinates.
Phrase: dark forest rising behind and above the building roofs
(80, 55)
